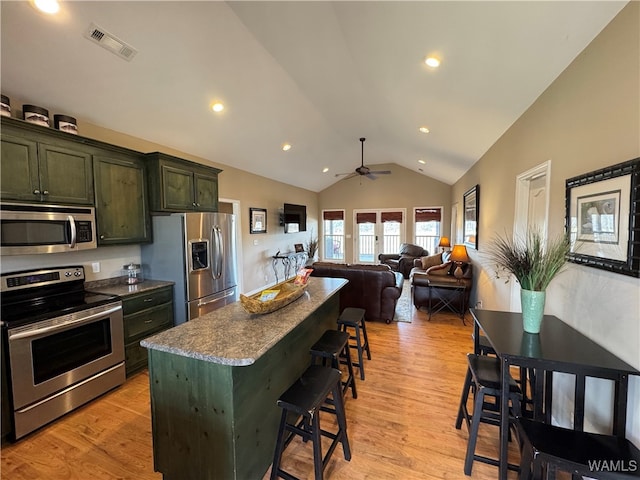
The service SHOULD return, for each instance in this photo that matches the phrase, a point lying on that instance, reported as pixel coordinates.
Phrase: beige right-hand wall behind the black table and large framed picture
(588, 118)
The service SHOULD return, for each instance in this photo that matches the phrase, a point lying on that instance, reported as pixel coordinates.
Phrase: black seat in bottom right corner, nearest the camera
(580, 453)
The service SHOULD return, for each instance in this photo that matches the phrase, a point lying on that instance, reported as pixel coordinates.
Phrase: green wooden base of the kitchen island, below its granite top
(216, 421)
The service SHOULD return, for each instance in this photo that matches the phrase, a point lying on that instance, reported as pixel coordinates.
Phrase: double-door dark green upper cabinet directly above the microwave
(39, 165)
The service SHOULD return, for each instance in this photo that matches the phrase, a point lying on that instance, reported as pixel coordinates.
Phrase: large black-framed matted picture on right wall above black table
(603, 218)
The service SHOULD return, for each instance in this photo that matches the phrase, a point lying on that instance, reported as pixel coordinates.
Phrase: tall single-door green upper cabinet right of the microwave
(122, 208)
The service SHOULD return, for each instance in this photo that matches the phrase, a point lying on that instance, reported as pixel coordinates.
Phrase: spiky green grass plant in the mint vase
(533, 265)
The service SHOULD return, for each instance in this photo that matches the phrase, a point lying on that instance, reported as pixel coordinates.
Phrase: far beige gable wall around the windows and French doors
(402, 189)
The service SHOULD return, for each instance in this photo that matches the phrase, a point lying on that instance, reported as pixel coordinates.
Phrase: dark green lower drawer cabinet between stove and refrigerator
(144, 314)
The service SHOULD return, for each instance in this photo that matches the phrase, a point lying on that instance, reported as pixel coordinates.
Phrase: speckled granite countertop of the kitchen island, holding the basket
(231, 336)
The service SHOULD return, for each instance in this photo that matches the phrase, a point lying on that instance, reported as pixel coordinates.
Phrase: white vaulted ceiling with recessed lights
(316, 75)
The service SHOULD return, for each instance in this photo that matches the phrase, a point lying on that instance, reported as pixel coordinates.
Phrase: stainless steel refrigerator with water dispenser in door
(197, 251)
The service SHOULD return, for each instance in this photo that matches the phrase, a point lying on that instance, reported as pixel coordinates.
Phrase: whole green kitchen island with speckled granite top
(215, 380)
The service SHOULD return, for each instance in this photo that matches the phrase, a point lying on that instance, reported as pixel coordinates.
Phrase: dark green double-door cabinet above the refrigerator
(177, 185)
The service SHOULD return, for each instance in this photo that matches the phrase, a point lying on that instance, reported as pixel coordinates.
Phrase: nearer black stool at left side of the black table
(483, 375)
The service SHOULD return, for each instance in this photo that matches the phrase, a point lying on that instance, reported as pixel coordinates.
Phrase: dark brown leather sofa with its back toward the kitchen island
(376, 288)
